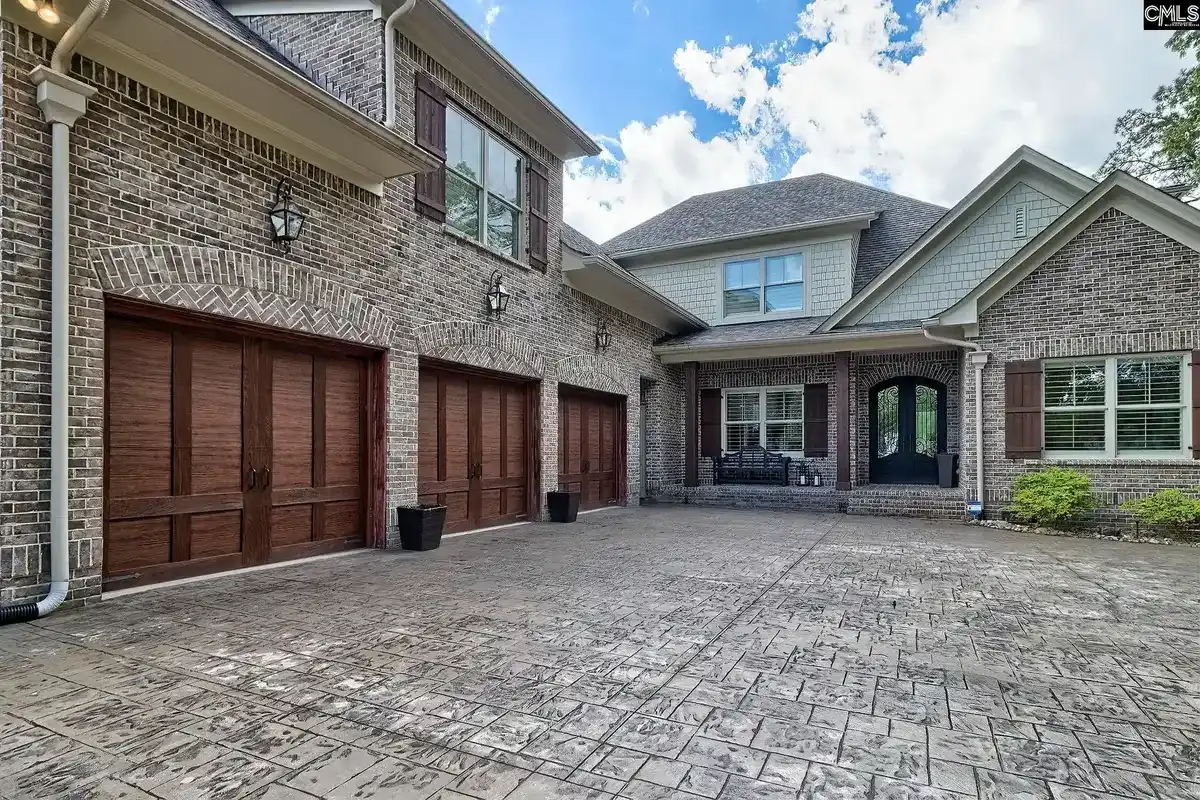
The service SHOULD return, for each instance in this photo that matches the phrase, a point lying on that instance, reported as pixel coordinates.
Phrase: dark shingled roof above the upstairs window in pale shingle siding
(766, 208)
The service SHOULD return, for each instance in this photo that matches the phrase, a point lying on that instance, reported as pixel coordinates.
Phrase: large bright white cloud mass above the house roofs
(933, 117)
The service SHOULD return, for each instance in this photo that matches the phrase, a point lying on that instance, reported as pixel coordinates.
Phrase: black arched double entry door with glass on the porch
(908, 431)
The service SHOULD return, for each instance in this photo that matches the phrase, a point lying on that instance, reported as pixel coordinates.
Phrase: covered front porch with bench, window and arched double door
(875, 430)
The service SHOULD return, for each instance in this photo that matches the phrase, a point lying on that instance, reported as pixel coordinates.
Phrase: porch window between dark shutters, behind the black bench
(771, 418)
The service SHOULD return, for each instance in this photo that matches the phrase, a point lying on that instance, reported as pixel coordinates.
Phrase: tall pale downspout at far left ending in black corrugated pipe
(63, 101)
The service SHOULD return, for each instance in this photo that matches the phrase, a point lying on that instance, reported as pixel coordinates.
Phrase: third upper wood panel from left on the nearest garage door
(291, 420)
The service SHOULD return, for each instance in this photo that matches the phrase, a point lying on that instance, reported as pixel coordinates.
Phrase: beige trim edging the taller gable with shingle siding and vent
(1024, 166)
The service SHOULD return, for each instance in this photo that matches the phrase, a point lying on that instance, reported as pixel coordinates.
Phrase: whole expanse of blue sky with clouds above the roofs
(688, 97)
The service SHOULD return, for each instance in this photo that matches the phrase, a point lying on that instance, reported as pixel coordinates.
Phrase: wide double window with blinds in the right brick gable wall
(1117, 407)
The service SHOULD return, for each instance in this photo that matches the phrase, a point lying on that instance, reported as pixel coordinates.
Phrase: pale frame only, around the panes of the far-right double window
(1111, 411)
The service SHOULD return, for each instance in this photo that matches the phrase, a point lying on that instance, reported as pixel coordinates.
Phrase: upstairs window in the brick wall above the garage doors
(483, 185)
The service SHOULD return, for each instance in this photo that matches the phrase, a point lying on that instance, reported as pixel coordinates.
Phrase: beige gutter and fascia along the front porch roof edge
(825, 344)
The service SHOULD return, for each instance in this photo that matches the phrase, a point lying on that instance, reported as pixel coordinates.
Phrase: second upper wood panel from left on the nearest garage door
(217, 432)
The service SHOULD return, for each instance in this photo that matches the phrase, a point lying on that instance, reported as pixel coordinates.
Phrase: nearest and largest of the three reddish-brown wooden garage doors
(227, 450)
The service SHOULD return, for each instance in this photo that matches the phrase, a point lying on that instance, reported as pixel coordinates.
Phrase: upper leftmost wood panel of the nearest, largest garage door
(140, 404)
